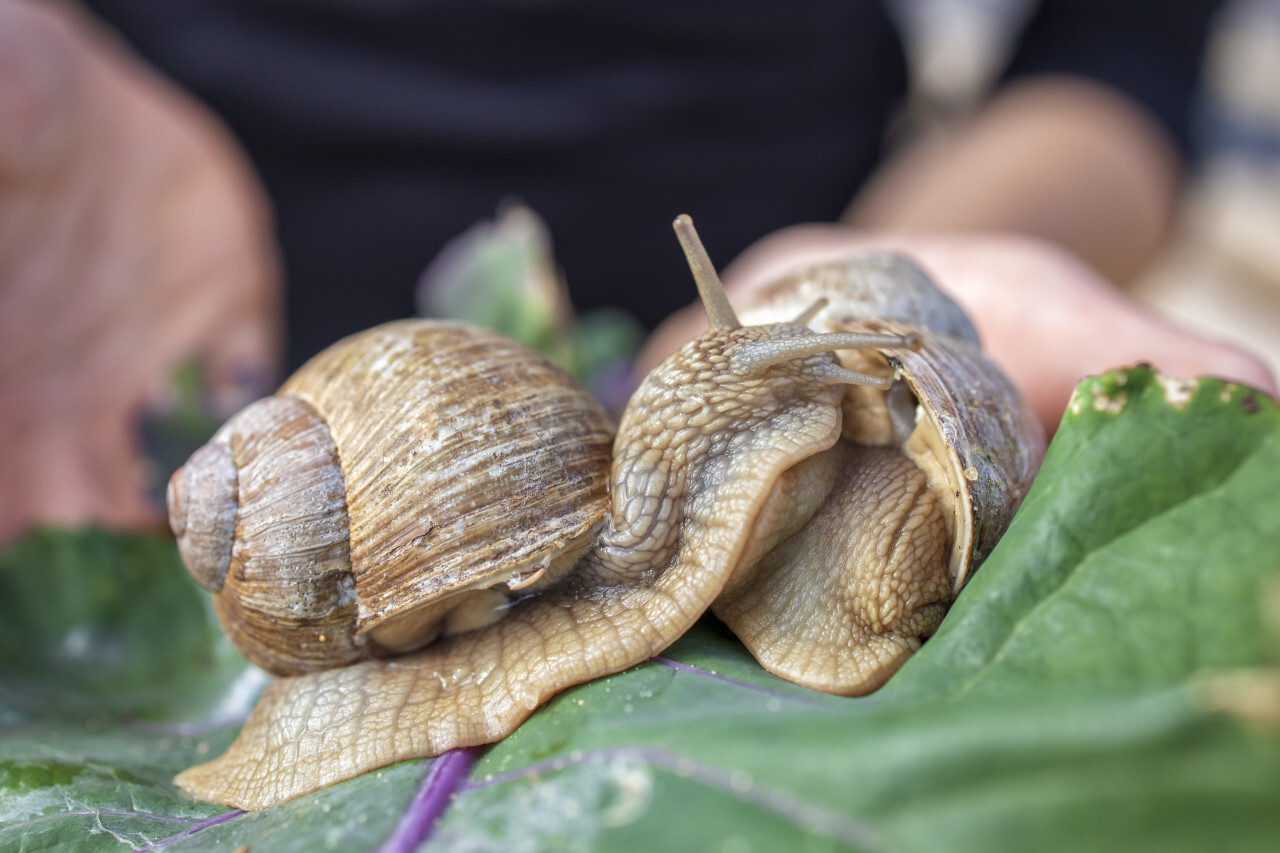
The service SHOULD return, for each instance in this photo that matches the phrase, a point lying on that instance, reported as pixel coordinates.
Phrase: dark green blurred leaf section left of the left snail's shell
(100, 626)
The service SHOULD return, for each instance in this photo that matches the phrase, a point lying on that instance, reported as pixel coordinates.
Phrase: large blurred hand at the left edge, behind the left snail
(134, 239)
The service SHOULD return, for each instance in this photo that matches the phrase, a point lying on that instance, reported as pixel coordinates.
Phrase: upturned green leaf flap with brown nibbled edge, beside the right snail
(1140, 556)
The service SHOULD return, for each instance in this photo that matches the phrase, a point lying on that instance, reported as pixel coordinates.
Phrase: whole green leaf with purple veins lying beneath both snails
(1072, 700)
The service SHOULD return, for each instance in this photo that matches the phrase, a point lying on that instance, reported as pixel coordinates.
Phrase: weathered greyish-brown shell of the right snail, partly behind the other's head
(956, 414)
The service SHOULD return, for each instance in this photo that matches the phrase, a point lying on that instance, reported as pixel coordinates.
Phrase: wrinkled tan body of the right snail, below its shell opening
(847, 624)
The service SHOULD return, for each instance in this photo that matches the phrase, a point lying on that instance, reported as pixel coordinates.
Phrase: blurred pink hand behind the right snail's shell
(1045, 318)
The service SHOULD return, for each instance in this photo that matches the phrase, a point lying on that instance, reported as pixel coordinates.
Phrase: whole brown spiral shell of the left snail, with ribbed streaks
(403, 480)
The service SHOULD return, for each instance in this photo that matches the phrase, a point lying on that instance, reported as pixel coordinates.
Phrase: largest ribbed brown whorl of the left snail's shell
(470, 462)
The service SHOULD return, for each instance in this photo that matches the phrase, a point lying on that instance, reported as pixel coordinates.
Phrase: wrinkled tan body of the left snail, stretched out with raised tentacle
(700, 487)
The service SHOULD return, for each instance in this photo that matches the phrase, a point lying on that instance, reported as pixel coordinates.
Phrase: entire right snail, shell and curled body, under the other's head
(930, 477)
